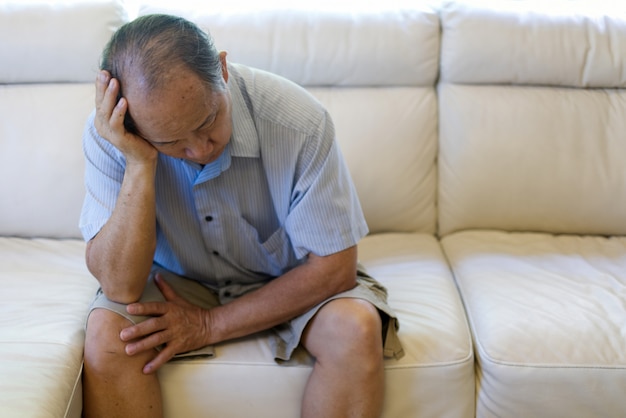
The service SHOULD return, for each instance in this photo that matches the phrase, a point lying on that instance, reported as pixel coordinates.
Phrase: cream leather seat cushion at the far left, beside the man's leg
(46, 290)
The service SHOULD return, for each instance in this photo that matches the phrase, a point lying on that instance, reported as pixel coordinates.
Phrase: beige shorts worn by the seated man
(285, 337)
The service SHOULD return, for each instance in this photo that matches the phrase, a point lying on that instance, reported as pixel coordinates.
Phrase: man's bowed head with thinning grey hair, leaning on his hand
(174, 81)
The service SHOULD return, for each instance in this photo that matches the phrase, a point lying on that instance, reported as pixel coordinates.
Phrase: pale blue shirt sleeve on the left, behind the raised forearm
(104, 172)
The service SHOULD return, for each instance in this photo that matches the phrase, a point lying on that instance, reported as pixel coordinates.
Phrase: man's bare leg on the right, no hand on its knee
(348, 377)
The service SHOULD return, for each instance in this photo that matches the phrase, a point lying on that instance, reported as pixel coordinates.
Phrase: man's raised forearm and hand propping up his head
(120, 255)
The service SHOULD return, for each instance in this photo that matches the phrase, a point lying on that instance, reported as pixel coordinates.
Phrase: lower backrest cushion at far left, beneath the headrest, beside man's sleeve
(41, 158)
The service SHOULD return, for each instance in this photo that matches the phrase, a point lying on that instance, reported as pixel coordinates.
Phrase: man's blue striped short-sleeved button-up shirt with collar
(279, 191)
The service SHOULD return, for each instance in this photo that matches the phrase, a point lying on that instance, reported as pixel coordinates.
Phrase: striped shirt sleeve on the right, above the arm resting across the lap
(325, 215)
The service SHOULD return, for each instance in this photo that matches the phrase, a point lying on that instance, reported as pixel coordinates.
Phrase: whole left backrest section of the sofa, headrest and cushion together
(49, 55)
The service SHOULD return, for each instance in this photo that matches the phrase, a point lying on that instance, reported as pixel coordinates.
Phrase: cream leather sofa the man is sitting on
(487, 143)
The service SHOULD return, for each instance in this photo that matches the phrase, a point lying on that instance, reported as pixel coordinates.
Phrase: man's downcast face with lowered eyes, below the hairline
(185, 118)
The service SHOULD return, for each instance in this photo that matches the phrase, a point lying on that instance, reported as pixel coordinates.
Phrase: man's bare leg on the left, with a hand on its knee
(113, 382)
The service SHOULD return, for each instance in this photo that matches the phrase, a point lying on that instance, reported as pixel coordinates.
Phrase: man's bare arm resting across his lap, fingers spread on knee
(183, 327)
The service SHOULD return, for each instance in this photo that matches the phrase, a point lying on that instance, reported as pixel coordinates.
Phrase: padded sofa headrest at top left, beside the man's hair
(55, 41)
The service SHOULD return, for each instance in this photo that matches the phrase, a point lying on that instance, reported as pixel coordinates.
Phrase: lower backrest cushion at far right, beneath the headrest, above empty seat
(532, 159)
